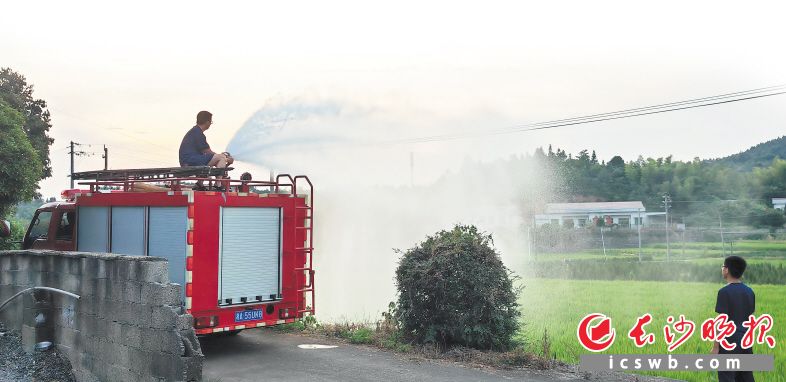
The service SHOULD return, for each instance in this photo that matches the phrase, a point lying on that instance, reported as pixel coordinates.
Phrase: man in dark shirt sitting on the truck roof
(194, 150)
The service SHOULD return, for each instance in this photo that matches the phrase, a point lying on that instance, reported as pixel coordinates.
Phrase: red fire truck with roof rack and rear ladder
(241, 248)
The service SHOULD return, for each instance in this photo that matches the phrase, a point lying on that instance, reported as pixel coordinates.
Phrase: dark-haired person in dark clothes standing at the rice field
(738, 301)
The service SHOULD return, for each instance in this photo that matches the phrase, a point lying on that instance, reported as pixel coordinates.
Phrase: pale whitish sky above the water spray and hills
(132, 75)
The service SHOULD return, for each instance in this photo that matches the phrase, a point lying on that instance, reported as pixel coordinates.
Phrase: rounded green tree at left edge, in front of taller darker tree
(21, 166)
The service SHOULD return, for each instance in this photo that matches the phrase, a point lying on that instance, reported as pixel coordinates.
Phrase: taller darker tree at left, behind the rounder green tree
(18, 94)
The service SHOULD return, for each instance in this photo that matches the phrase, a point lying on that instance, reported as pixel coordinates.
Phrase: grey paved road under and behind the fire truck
(257, 355)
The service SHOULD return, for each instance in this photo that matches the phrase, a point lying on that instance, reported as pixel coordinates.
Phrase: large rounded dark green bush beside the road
(454, 289)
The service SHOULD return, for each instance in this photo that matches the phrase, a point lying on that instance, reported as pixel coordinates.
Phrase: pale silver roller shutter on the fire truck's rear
(249, 255)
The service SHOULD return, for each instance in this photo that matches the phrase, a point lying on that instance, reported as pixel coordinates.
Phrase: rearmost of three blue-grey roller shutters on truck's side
(167, 239)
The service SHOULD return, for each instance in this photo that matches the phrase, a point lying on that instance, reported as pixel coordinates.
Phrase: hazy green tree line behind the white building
(703, 192)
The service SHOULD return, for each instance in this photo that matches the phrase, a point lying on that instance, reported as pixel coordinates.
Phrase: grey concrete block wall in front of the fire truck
(128, 325)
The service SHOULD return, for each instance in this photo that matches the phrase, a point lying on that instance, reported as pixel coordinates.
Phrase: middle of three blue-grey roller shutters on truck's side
(128, 230)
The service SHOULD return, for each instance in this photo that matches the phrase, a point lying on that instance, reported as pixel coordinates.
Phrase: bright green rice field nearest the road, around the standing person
(555, 307)
